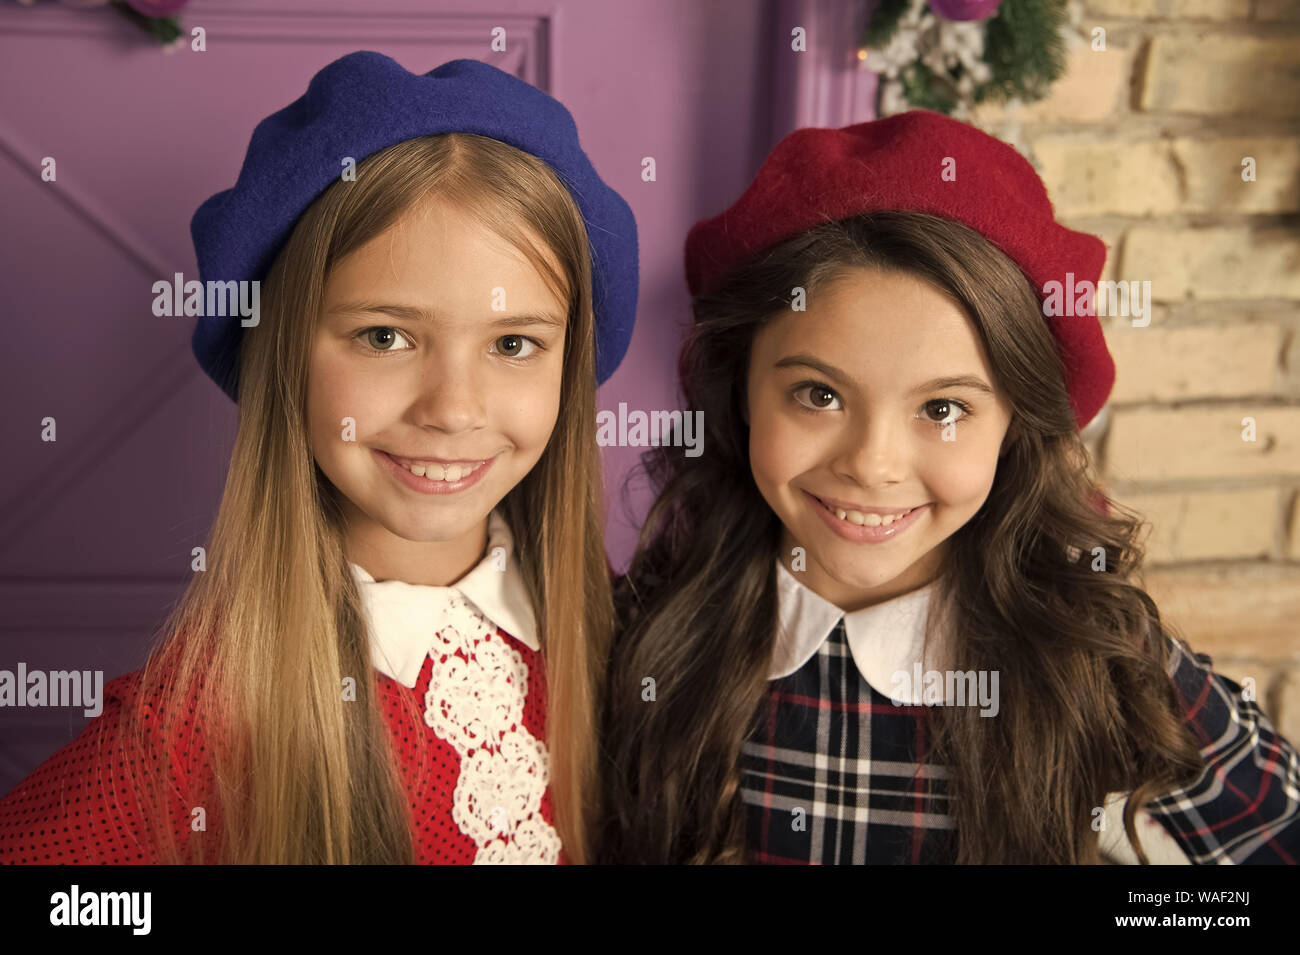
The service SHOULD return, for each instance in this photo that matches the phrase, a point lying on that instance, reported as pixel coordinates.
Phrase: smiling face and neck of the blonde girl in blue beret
(444, 344)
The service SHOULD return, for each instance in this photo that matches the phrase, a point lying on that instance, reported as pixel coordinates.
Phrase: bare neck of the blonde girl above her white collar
(431, 563)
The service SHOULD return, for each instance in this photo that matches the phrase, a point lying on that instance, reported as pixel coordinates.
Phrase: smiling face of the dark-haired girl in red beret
(850, 403)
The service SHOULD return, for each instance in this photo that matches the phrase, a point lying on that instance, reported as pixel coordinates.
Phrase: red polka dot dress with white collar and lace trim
(476, 767)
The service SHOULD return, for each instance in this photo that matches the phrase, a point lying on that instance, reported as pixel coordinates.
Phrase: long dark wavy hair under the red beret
(1087, 705)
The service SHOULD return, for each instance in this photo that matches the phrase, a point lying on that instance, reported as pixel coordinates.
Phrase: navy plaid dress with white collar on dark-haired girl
(831, 772)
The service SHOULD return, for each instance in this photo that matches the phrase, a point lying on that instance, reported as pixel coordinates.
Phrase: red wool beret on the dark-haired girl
(898, 164)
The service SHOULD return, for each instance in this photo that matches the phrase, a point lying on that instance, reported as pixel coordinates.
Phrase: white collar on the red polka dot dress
(404, 618)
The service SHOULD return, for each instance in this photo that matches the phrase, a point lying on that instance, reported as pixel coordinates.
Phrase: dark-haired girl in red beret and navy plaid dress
(889, 617)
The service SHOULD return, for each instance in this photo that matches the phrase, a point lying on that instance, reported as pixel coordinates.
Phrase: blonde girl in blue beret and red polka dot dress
(393, 653)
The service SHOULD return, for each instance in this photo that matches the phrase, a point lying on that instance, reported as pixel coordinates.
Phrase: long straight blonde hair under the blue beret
(258, 646)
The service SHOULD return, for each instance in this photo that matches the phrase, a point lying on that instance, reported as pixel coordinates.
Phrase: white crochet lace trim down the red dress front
(476, 704)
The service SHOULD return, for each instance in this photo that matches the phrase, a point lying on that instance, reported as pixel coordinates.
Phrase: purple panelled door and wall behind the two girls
(97, 528)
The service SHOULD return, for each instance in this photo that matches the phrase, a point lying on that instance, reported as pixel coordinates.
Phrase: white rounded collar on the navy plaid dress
(885, 639)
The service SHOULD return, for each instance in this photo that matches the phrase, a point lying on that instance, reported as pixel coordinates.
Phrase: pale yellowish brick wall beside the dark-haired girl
(1143, 144)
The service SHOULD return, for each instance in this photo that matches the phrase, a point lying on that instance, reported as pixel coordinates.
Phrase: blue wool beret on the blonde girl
(361, 105)
